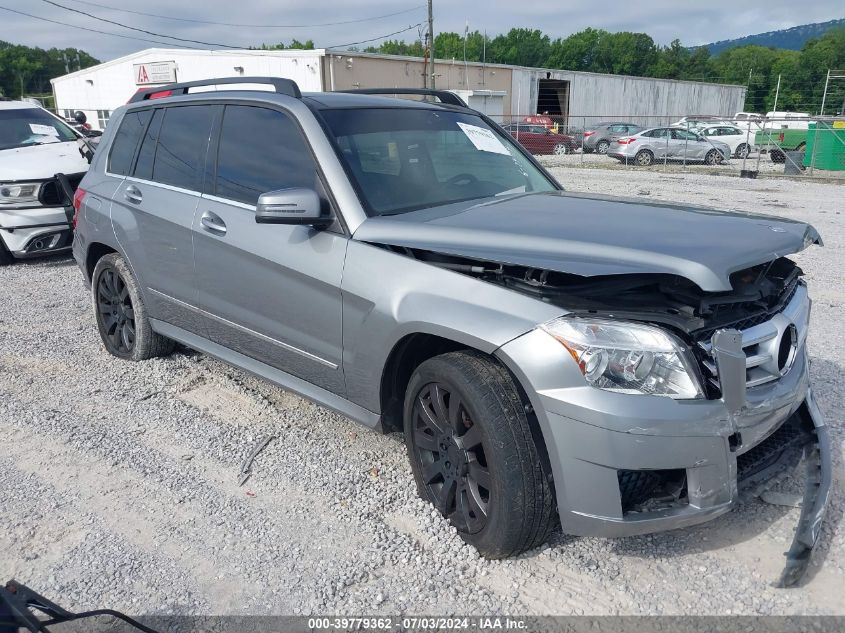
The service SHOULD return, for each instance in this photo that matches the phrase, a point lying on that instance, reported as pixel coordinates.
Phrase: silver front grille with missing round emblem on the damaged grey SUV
(771, 342)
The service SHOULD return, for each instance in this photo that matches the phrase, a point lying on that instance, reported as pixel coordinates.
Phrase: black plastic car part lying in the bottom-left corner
(18, 604)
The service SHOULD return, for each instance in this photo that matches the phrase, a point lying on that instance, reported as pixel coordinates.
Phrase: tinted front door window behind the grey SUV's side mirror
(260, 150)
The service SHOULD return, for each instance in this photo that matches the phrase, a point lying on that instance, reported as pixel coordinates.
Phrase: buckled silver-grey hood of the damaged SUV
(593, 235)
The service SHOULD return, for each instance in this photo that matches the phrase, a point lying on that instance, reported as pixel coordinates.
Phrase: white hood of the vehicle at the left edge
(37, 162)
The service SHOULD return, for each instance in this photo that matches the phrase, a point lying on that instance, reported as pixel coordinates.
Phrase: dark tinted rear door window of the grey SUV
(182, 143)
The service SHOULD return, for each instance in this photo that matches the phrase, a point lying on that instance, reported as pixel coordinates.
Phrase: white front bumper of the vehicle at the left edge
(35, 231)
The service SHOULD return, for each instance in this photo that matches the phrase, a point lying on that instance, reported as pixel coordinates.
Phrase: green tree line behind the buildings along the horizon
(26, 70)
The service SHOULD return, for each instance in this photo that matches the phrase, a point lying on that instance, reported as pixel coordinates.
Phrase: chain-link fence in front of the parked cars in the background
(749, 145)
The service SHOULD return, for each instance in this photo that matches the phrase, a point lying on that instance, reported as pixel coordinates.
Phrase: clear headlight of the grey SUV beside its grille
(627, 357)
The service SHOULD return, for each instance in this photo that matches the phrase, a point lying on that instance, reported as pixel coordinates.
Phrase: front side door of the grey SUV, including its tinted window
(268, 291)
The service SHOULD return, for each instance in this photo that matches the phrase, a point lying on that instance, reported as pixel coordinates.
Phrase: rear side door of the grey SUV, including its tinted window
(153, 209)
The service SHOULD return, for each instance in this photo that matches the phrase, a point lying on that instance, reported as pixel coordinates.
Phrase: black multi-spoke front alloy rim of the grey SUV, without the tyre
(450, 449)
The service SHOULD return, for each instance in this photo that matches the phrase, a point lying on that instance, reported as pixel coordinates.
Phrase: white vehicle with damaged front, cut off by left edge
(35, 145)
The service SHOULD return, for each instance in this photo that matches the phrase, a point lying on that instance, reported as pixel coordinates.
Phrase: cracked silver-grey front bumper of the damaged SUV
(595, 438)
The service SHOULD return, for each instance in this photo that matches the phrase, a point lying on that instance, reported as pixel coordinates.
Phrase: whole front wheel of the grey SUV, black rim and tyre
(482, 470)
